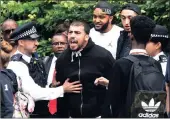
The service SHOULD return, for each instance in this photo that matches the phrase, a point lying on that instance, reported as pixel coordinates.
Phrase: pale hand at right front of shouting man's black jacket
(101, 81)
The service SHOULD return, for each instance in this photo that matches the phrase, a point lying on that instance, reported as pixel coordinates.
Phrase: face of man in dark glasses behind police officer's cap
(7, 28)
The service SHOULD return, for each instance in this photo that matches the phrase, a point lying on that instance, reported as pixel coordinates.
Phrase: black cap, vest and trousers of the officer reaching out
(35, 67)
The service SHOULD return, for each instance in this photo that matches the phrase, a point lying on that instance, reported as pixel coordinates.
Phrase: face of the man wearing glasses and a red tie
(59, 43)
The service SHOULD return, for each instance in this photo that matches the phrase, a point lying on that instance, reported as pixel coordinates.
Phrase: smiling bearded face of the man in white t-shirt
(101, 20)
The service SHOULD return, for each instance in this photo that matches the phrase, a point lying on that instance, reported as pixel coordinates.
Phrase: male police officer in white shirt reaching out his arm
(32, 72)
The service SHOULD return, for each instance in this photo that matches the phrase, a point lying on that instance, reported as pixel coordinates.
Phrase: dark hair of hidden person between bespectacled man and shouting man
(62, 27)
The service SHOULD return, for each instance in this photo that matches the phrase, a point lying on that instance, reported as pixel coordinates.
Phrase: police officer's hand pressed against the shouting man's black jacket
(73, 87)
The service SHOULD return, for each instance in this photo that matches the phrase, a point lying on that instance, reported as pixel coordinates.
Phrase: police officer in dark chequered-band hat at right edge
(157, 45)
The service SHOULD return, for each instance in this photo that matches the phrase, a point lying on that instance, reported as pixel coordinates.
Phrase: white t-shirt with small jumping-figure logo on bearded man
(107, 40)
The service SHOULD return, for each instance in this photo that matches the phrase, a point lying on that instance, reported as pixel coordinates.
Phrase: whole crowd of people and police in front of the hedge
(100, 72)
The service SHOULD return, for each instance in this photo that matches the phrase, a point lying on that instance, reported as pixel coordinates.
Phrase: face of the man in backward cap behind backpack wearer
(126, 15)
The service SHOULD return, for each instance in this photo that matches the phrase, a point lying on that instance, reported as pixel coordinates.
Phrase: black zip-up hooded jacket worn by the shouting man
(93, 63)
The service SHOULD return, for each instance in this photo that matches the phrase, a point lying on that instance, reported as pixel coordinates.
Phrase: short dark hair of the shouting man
(81, 23)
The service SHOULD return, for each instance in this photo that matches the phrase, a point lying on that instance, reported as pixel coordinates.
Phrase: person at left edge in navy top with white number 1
(8, 82)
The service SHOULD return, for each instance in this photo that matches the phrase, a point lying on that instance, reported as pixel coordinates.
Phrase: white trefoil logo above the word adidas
(151, 107)
